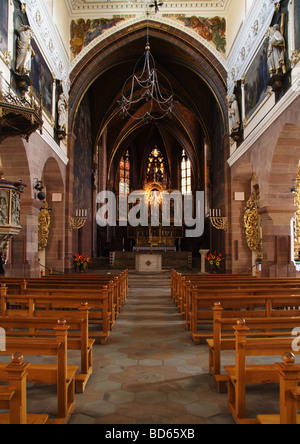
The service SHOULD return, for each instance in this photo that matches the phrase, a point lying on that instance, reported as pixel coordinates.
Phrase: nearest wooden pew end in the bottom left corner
(14, 398)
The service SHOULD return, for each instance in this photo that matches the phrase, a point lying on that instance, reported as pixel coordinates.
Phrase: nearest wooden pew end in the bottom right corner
(289, 374)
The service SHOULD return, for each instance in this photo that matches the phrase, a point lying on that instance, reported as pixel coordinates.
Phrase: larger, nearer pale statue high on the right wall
(276, 54)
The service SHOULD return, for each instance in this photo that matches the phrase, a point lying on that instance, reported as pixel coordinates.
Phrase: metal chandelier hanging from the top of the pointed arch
(143, 96)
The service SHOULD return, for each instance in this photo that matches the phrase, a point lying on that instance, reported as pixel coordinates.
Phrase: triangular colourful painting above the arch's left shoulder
(84, 32)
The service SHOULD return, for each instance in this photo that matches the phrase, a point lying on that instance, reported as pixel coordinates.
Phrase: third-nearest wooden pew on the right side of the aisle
(224, 340)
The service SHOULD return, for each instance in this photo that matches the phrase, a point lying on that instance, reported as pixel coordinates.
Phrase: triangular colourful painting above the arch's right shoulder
(211, 29)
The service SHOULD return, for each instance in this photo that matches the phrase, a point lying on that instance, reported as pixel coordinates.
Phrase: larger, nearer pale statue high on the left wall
(24, 50)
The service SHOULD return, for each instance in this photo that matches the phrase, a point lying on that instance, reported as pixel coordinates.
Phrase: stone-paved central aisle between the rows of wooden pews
(150, 372)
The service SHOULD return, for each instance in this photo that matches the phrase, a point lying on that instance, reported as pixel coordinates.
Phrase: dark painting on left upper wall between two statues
(42, 80)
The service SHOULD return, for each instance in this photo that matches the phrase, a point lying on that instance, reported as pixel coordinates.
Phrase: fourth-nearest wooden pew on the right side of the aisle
(260, 303)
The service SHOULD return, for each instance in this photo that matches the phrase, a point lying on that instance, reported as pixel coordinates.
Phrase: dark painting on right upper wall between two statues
(256, 81)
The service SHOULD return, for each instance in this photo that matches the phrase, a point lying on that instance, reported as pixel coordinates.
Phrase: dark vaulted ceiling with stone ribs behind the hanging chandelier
(198, 82)
